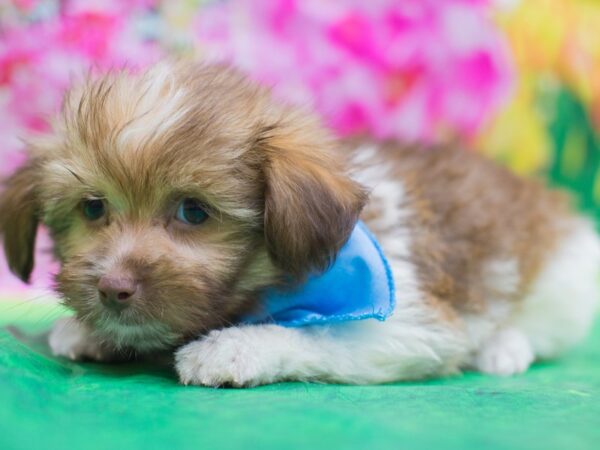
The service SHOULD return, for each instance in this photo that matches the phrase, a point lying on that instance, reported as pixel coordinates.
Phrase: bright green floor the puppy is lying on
(46, 403)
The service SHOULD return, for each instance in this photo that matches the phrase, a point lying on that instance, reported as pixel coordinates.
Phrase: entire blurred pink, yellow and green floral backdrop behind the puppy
(517, 80)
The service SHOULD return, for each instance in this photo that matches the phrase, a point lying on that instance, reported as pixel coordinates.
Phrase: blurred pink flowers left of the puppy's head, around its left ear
(39, 59)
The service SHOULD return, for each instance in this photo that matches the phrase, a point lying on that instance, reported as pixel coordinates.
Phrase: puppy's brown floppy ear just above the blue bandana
(311, 205)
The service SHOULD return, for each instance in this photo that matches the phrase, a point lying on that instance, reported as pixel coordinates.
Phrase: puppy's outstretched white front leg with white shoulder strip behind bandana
(416, 342)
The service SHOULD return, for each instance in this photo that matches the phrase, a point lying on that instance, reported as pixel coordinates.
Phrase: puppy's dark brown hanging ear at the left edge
(19, 219)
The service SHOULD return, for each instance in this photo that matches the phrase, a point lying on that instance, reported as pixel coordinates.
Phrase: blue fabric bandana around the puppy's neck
(359, 285)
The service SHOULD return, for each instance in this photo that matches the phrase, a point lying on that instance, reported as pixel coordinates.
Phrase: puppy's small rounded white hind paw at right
(506, 353)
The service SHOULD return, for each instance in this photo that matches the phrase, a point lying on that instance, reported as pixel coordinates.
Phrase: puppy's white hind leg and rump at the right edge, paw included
(557, 312)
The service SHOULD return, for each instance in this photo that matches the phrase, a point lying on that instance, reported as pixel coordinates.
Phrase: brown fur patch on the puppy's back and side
(468, 212)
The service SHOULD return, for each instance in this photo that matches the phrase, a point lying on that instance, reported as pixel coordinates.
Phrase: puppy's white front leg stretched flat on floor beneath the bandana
(354, 353)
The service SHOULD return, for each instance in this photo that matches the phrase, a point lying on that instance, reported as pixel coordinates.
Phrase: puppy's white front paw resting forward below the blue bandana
(232, 356)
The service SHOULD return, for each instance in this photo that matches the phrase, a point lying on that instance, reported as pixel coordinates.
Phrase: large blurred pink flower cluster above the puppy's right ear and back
(415, 69)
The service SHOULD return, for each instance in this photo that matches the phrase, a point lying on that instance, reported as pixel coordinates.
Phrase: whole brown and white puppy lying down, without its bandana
(176, 195)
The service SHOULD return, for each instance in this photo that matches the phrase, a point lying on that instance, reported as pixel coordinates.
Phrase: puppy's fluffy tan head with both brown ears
(173, 198)
